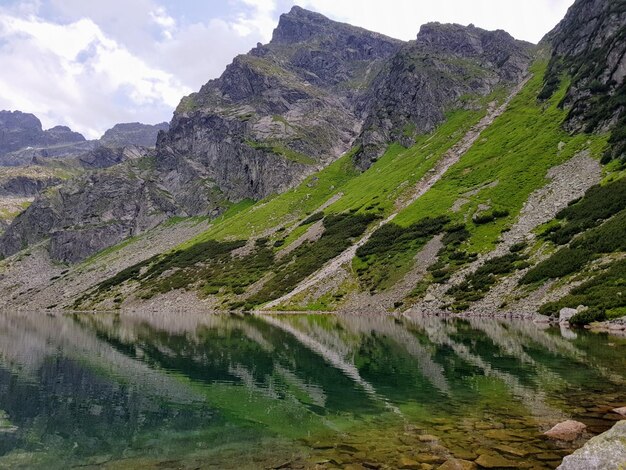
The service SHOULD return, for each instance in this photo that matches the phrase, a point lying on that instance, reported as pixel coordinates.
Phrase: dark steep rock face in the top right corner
(588, 45)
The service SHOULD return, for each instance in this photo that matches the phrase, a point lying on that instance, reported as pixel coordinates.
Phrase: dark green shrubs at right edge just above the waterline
(604, 295)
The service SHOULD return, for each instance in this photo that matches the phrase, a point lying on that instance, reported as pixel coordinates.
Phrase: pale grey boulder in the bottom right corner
(604, 452)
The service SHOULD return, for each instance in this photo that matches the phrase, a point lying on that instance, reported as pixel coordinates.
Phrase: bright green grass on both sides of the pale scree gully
(515, 152)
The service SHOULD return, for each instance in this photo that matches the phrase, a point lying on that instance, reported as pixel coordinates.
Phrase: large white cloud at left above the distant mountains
(74, 74)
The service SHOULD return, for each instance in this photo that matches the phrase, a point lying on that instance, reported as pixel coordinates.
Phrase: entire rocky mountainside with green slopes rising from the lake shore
(337, 169)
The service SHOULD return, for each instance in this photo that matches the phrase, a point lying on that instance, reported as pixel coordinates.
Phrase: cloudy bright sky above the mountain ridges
(90, 64)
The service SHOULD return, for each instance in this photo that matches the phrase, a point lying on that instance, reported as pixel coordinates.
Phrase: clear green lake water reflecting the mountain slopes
(296, 391)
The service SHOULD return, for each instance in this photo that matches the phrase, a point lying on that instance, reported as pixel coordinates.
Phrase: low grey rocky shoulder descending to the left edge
(90, 213)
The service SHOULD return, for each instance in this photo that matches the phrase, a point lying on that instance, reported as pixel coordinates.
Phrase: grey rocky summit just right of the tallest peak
(430, 75)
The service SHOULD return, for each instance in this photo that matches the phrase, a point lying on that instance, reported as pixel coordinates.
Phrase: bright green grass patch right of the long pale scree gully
(515, 152)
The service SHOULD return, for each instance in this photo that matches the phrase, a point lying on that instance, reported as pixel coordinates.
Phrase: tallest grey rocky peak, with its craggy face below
(280, 112)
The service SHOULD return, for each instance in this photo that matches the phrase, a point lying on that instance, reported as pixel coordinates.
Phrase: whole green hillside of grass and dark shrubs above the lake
(257, 252)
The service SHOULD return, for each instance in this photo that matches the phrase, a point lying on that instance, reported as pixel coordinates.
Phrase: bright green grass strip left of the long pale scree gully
(379, 186)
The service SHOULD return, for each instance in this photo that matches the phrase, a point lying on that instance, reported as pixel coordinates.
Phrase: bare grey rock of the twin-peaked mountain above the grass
(284, 111)
